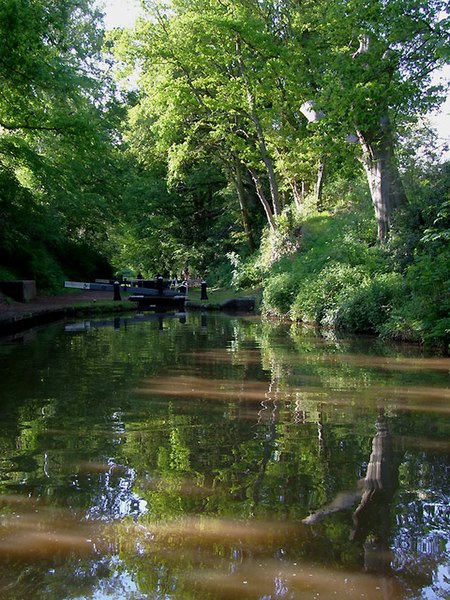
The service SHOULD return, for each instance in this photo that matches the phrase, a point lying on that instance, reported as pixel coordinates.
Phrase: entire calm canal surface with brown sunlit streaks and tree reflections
(218, 457)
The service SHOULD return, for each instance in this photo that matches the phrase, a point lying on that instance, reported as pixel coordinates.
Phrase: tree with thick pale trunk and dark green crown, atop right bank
(373, 74)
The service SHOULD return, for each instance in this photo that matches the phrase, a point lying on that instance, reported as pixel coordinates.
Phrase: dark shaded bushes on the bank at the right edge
(420, 248)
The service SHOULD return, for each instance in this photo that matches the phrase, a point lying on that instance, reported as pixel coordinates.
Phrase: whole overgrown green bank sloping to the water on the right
(331, 272)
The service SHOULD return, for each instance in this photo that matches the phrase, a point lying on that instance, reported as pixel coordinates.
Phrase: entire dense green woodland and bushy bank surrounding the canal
(275, 144)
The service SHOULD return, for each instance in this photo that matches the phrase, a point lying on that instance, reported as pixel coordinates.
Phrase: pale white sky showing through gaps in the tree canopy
(122, 13)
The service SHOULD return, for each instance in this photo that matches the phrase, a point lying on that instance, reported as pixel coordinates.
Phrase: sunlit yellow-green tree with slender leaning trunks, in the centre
(205, 88)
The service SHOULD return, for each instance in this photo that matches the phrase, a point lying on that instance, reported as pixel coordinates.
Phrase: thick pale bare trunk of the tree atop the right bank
(386, 188)
